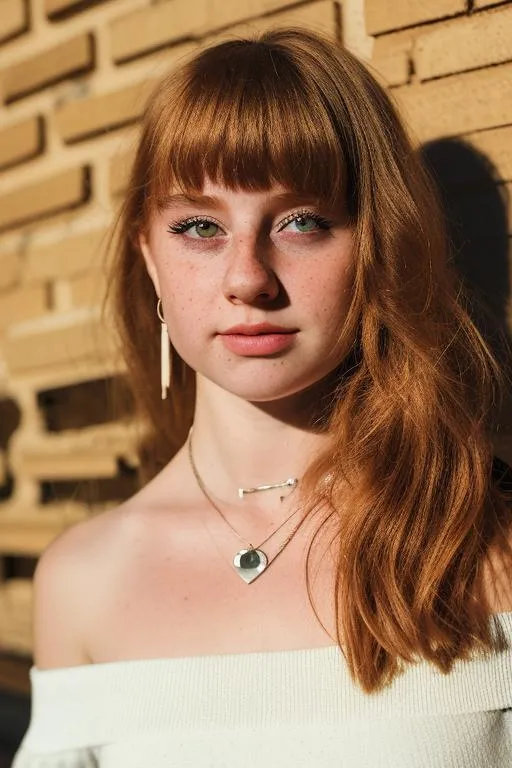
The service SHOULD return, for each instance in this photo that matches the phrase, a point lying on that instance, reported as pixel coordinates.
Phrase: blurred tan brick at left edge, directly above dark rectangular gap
(88, 341)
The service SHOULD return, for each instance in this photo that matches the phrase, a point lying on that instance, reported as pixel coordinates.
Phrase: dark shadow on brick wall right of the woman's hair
(475, 204)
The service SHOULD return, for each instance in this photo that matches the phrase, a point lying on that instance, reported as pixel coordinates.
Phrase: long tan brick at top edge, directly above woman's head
(150, 28)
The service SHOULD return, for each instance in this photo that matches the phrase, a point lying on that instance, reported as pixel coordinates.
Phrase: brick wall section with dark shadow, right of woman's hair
(448, 64)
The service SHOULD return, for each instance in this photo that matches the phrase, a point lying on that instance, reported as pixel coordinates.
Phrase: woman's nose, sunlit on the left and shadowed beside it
(249, 277)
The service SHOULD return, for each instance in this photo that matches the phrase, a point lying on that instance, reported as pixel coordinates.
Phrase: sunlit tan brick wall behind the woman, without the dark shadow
(73, 78)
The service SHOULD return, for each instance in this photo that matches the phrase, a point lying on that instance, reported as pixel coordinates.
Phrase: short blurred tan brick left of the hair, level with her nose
(67, 257)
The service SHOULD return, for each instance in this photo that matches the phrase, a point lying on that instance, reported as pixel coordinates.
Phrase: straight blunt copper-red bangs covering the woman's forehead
(244, 114)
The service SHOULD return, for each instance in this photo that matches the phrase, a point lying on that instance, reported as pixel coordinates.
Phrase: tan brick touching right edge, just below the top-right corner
(476, 41)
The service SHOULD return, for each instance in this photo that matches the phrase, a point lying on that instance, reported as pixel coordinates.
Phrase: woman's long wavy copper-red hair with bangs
(409, 417)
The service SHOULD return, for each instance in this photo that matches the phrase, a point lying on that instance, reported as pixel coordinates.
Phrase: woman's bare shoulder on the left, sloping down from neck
(77, 575)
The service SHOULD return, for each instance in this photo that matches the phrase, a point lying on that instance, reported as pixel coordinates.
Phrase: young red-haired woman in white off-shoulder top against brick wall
(317, 570)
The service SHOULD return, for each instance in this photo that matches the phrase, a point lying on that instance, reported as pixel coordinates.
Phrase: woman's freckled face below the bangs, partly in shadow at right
(277, 266)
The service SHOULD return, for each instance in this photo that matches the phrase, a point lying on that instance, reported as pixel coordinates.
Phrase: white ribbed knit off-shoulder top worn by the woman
(289, 709)
